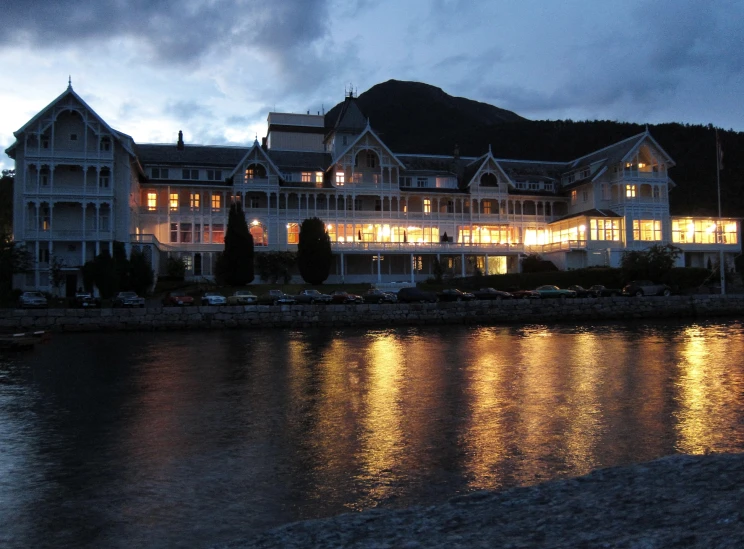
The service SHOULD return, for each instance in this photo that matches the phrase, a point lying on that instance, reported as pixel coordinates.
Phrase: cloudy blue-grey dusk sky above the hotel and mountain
(215, 68)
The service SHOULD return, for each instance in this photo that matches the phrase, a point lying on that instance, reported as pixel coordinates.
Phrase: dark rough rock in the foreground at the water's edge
(678, 501)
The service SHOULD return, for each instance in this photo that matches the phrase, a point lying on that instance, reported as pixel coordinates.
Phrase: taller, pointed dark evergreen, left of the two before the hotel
(235, 263)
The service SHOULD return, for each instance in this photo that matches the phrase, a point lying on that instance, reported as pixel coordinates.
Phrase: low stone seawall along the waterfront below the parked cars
(297, 316)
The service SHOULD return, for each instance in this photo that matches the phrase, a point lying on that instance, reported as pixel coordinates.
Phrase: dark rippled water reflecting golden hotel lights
(190, 439)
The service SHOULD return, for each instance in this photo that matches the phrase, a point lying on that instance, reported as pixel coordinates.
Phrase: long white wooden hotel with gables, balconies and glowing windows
(80, 185)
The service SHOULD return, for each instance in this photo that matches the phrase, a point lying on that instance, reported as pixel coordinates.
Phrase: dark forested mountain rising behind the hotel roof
(412, 117)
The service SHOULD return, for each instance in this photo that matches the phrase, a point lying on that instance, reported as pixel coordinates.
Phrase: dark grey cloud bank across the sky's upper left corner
(170, 31)
